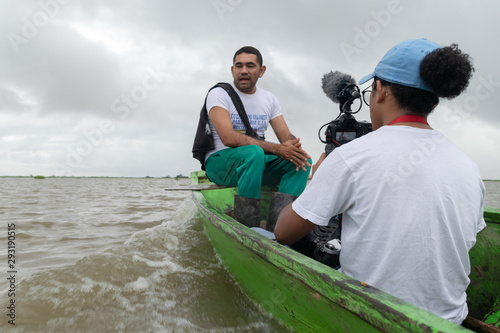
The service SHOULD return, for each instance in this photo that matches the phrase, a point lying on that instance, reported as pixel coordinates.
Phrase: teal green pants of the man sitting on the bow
(248, 167)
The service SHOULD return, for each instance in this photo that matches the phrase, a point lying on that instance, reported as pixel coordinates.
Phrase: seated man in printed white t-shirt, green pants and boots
(246, 162)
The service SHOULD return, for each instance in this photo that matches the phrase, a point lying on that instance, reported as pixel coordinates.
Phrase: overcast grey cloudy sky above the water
(114, 88)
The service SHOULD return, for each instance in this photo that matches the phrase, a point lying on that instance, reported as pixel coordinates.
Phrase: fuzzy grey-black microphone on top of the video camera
(340, 87)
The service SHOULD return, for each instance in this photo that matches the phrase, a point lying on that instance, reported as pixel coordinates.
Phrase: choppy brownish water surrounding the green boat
(118, 255)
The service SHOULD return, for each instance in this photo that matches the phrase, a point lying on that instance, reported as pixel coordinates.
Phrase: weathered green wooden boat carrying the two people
(308, 296)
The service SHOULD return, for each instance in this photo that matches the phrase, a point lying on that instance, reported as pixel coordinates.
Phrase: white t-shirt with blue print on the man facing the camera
(261, 107)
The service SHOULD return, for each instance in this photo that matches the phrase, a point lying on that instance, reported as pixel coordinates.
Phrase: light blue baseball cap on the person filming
(401, 64)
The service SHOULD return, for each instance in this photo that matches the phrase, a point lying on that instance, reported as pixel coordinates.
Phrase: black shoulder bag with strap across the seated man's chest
(204, 141)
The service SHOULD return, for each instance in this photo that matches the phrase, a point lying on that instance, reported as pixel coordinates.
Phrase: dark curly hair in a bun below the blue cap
(446, 70)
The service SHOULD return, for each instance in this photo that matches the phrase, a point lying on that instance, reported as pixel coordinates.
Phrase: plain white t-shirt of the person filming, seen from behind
(412, 204)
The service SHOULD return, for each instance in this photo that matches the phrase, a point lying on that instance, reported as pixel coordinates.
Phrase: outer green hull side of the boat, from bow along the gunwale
(304, 294)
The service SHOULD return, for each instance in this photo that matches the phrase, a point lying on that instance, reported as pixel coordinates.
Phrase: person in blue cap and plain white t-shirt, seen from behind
(412, 202)
